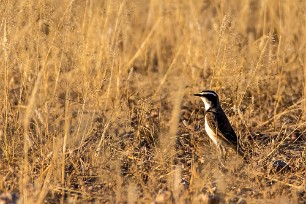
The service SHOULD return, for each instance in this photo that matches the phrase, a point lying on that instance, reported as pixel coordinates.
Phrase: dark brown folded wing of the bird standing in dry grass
(225, 132)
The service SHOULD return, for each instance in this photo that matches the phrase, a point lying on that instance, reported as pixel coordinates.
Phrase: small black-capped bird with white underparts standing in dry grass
(217, 125)
